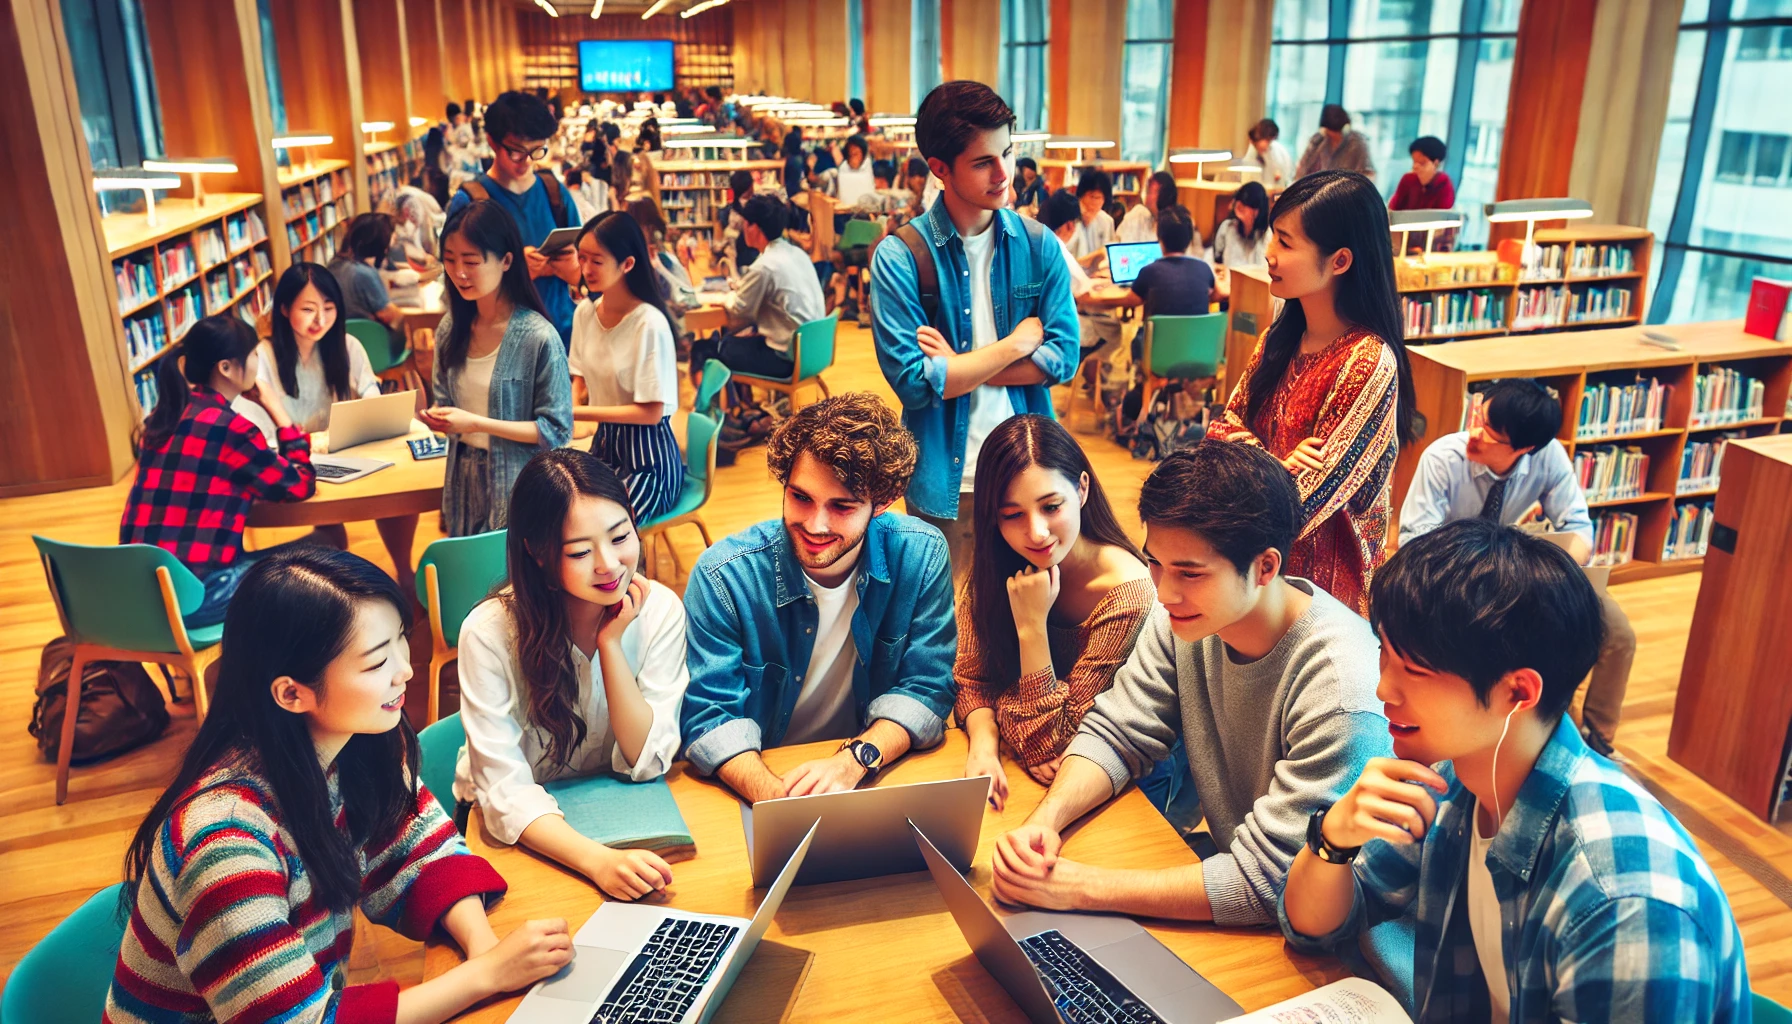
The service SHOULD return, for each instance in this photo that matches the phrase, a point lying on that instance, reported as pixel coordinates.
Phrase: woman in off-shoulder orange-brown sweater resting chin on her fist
(1056, 600)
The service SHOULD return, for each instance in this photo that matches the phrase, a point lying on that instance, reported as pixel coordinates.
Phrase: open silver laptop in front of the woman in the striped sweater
(633, 962)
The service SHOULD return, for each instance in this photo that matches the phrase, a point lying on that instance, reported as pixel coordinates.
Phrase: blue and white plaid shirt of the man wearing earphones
(1608, 912)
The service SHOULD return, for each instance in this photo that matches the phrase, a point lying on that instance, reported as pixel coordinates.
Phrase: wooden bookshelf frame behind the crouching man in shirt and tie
(1569, 363)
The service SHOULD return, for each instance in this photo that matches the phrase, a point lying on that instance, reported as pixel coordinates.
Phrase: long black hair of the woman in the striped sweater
(293, 616)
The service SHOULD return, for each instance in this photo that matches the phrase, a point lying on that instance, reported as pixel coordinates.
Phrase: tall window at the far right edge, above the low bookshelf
(1723, 200)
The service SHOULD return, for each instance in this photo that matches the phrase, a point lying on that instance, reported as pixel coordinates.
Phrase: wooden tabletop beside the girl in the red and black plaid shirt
(408, 487)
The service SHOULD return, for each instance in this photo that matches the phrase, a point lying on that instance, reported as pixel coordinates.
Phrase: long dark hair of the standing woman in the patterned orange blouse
(1341, 211)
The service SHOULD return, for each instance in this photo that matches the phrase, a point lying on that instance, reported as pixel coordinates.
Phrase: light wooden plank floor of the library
(53, 858)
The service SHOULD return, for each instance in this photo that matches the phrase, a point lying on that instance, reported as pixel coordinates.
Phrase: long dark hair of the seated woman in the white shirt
(540, 501)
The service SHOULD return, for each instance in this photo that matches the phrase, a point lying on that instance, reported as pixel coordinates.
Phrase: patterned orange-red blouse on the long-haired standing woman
(1347, 397)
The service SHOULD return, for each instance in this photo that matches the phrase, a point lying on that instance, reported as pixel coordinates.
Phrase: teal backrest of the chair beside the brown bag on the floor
(110, 596)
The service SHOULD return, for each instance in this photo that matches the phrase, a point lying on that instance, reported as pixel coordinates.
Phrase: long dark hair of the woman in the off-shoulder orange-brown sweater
(1021, 442)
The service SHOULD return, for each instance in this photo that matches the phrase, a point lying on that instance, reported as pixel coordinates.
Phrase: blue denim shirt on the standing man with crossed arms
(1028, 279)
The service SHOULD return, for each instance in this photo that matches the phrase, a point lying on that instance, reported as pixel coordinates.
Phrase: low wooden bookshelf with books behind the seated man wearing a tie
(1671, 494)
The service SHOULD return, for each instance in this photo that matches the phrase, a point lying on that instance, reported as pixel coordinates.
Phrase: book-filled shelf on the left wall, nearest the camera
(198, 261)
